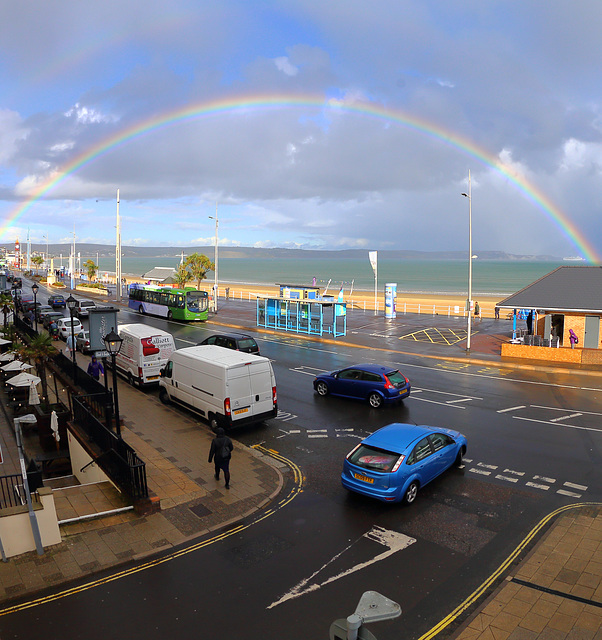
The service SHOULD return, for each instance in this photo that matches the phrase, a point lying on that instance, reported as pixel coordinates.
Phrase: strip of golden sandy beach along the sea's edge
(411, 303)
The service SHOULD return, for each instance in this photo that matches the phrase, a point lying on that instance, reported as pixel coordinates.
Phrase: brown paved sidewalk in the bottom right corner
(555, 593)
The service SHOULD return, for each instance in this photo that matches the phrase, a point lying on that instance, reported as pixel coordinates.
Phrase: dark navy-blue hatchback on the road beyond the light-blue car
(375, 383)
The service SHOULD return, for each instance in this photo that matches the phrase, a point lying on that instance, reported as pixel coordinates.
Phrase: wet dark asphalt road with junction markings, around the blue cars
(534, 444)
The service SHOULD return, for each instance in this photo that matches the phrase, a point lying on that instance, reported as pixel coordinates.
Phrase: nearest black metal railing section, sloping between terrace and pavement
(117, 459)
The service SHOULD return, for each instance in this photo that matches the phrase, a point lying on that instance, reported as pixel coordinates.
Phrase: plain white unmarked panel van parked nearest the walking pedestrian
(228, 388)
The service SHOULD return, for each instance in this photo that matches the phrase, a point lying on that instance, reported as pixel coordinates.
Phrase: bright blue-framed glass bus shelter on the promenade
(311, 317)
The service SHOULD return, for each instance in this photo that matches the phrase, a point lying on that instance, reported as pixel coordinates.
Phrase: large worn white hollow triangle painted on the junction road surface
(392, 540)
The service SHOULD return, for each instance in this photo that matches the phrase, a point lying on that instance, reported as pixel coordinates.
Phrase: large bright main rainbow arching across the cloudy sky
(246, 103)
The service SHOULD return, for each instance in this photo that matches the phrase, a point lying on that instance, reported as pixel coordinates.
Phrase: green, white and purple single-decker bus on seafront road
(174, 304)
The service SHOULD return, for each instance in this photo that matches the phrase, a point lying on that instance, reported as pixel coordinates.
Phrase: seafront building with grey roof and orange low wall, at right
(568, 299)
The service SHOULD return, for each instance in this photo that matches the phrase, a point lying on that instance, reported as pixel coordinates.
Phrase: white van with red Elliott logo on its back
(144, 352)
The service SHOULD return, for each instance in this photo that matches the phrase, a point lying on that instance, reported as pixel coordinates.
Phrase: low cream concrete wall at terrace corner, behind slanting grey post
(15, 526)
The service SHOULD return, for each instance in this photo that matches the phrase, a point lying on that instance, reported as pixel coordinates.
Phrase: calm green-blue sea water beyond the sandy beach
(419, 276)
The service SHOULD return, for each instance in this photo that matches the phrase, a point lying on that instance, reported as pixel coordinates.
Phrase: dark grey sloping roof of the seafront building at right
(564, 289)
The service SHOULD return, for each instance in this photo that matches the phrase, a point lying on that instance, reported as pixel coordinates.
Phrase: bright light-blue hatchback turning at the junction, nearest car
(394, 462)
